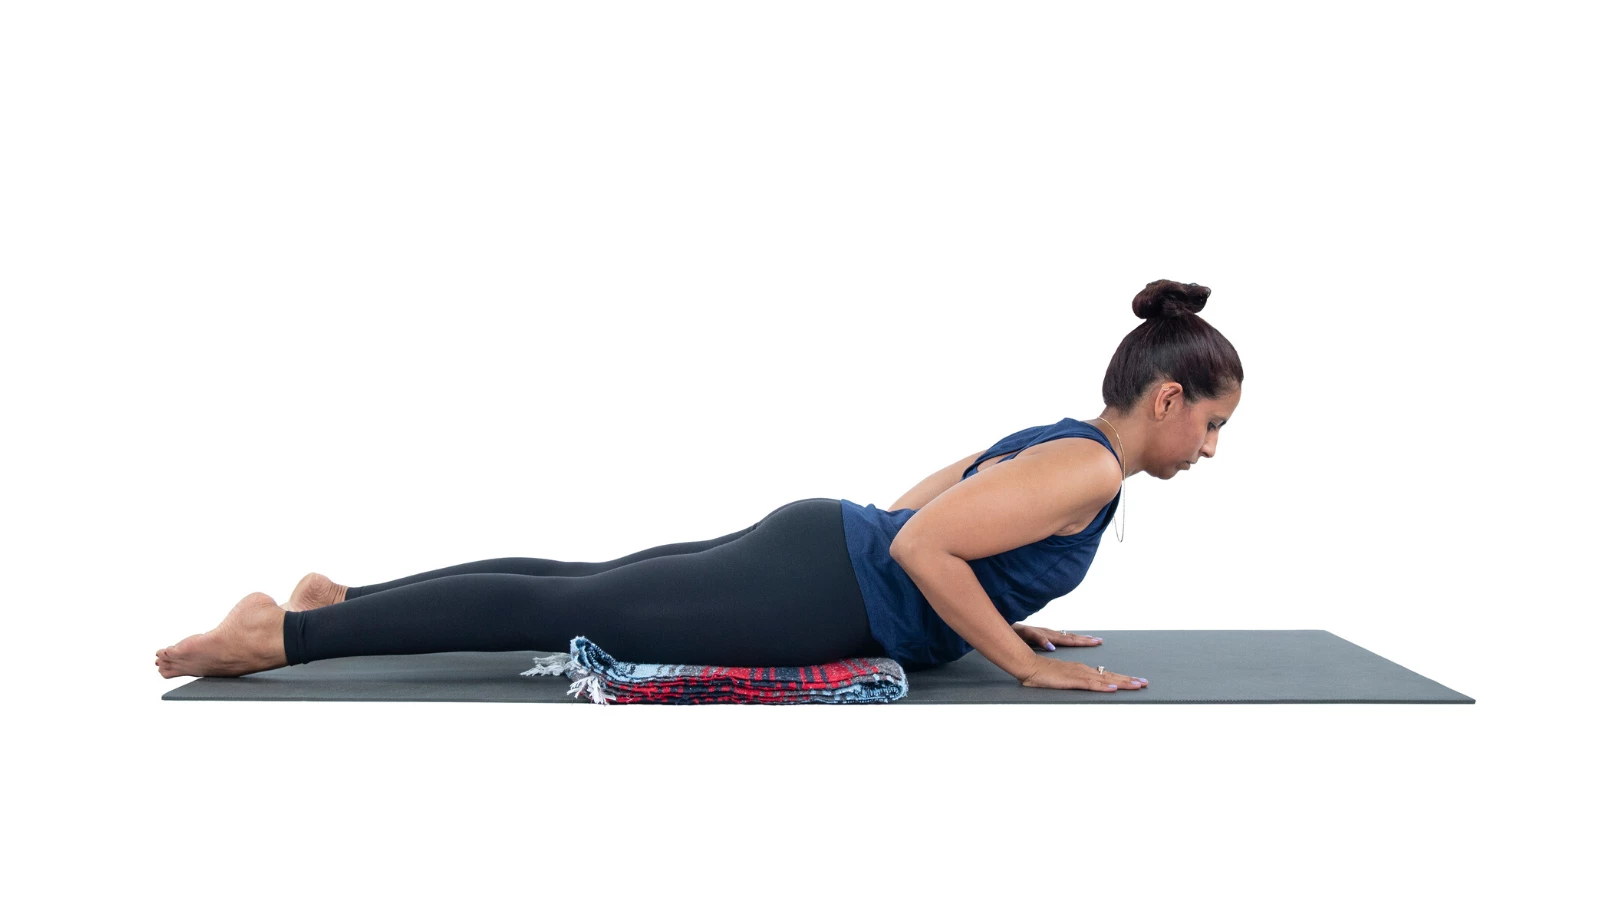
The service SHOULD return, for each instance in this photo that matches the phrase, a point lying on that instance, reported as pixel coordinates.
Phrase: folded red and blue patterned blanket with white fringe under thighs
(858, 680)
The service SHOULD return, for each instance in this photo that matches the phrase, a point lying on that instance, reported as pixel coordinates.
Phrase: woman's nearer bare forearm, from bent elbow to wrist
(959, 598)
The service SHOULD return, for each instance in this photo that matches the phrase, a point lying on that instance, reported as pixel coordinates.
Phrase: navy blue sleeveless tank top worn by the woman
(1020, 581)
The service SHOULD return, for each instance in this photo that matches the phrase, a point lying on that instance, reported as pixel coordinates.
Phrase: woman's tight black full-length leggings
(778, 593)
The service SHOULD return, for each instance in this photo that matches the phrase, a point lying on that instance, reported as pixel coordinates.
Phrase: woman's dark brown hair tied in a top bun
(1172, 345)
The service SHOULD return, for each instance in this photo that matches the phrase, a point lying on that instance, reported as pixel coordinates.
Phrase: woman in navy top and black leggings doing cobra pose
(954, 566)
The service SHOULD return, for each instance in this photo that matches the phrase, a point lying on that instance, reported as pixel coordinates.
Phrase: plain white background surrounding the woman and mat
(372, 289)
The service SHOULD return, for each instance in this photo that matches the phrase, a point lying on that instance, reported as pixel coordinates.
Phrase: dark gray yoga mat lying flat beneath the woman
(1185, 667)
